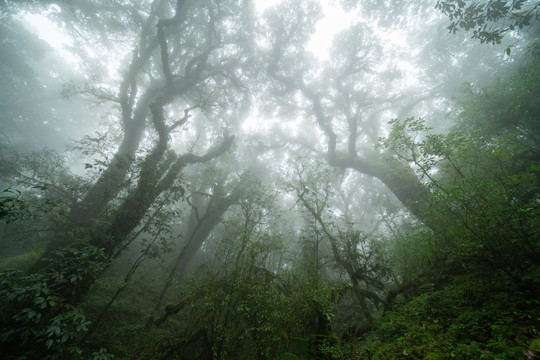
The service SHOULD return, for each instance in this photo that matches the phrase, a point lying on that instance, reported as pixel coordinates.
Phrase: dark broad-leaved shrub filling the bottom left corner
(39, 320)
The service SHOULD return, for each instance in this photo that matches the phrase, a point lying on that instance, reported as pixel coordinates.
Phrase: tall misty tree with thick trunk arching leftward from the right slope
(349, 107)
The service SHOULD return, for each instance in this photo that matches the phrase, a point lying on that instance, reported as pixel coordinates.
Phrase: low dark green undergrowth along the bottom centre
(261, 316)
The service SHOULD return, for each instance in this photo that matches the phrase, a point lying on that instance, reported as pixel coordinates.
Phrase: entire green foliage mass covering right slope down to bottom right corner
(480, 256)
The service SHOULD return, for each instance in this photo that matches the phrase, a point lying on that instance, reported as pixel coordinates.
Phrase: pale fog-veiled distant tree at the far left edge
(29, 105)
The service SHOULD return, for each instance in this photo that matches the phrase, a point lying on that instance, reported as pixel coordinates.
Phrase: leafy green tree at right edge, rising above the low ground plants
(483, 180)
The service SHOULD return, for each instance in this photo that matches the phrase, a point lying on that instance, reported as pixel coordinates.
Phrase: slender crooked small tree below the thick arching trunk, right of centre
(361, 256)
